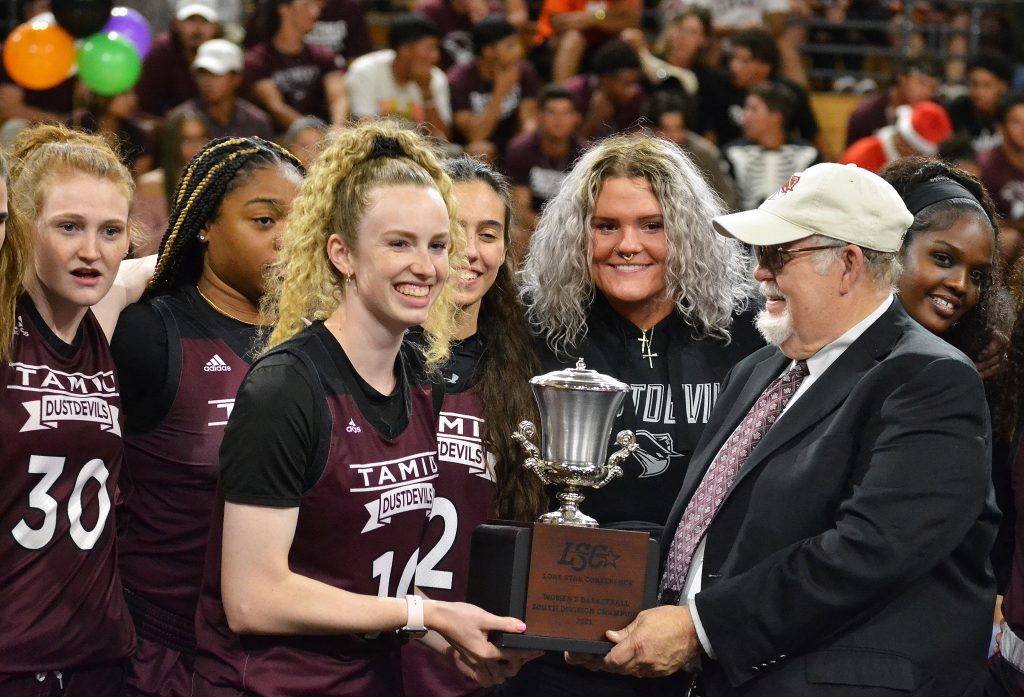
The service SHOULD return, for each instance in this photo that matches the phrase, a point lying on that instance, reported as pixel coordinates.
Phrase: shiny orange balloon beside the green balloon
(38, 56)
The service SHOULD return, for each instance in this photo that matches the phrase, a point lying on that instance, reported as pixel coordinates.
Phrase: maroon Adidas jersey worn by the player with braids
(173, 469)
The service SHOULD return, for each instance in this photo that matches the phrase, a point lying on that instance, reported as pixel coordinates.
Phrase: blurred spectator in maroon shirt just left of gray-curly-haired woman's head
(538, 162)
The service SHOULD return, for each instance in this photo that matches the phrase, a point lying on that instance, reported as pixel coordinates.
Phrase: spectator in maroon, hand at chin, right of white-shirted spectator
(495, 97)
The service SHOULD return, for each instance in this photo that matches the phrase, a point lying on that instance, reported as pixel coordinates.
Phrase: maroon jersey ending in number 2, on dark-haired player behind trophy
(463, 499)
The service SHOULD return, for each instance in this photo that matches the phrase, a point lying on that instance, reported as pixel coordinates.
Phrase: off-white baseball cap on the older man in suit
(843, 202)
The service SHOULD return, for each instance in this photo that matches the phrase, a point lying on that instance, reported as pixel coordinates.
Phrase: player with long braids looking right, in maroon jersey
(182, 355)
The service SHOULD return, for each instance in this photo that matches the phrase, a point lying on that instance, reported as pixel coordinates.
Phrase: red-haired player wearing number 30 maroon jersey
(64, 626)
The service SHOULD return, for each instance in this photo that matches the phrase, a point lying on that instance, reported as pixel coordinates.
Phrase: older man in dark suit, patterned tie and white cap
(832, 535)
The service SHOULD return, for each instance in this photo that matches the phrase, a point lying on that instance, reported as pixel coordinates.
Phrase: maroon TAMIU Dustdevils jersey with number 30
(61, 451)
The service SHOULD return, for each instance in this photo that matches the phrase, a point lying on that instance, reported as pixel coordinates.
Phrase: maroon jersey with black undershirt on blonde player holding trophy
(307, 432)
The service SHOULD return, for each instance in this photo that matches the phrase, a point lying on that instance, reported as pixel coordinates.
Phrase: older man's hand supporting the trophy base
(660, 642)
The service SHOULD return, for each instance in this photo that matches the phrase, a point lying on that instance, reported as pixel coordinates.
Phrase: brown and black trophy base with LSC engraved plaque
(569, 584)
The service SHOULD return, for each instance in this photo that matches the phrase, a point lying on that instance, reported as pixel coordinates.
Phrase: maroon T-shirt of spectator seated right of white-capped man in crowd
(298, 78)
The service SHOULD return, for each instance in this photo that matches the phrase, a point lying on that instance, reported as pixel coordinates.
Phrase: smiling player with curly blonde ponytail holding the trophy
(329, 458)
